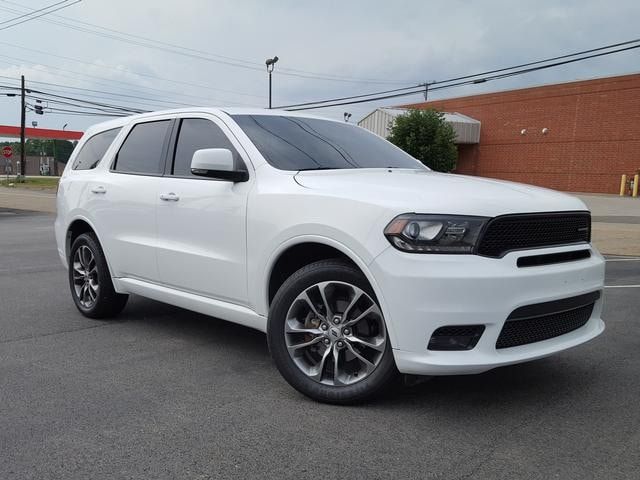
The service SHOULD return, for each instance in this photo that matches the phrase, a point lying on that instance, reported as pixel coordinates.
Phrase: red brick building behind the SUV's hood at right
(578, 136)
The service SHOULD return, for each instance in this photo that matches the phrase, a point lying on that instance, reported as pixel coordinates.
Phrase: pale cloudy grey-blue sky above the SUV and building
(153, 54)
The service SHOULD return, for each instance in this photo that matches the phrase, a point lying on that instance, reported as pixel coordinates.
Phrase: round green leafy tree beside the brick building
(425, 135)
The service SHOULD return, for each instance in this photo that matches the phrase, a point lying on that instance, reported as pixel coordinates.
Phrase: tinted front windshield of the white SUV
(295, 143)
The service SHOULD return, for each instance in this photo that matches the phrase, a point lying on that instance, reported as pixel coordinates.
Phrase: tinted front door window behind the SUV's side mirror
(195, 134)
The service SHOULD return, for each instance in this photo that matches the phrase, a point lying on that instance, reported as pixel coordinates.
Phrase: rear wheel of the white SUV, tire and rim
(90, 280)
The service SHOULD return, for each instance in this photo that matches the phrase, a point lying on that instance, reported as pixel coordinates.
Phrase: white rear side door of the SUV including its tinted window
(126, 200)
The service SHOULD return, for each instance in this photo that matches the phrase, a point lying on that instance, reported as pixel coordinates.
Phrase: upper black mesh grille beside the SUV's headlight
(520, 232)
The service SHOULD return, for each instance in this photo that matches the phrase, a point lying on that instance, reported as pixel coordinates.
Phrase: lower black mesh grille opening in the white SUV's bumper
(537, 326)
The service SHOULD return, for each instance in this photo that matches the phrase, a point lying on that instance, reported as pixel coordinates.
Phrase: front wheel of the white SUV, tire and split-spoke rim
(319, 329)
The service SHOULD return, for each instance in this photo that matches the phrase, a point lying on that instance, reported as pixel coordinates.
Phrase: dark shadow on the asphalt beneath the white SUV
(563, 376)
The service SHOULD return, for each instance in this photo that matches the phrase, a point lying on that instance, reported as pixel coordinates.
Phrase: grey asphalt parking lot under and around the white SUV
(165, 393)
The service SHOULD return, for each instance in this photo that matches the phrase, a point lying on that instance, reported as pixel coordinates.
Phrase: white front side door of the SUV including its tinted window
(202, 221)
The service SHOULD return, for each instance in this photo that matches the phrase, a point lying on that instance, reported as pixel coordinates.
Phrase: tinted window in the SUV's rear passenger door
(142, 151)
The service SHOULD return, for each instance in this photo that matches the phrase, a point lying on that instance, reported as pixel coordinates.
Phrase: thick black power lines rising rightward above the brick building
(473, 78)
